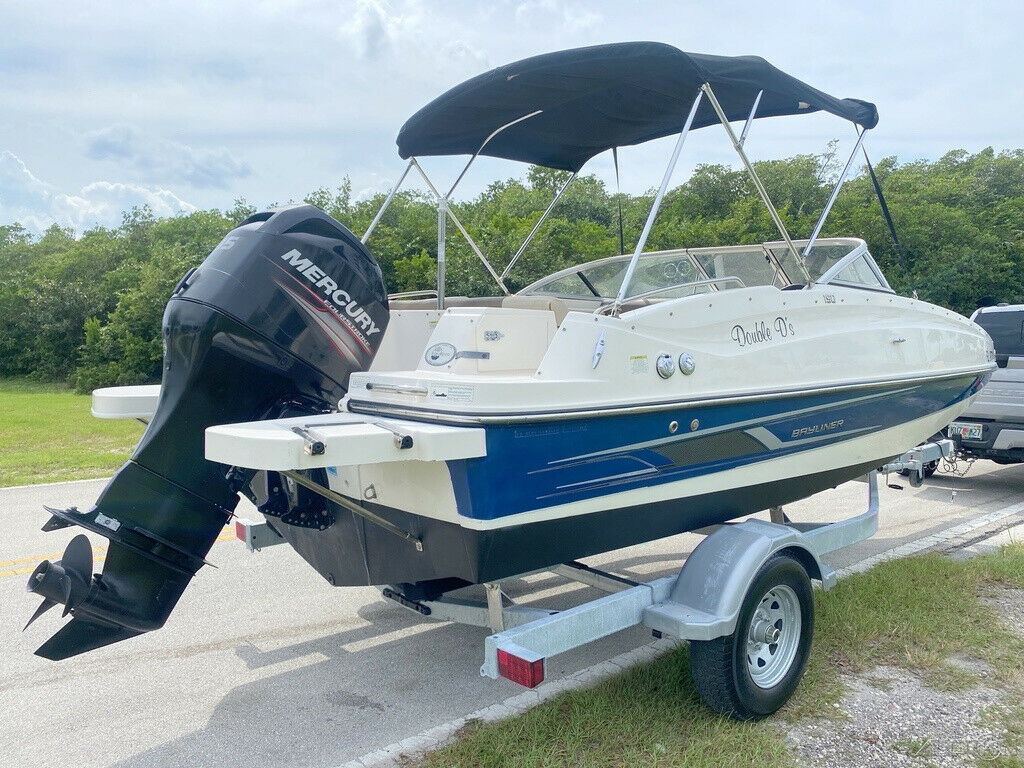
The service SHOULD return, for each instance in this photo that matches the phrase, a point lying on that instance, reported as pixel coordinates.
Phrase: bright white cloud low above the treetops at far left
(37, 205)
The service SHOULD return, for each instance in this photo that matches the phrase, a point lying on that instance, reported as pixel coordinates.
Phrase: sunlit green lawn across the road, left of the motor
(48, 435)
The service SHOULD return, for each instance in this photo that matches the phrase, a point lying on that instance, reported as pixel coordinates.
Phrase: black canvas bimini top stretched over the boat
(594, 99)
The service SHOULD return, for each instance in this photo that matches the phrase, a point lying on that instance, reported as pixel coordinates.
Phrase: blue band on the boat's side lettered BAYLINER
(536, 465)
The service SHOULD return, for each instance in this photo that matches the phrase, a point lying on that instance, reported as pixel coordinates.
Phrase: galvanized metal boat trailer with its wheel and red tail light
(743, 600)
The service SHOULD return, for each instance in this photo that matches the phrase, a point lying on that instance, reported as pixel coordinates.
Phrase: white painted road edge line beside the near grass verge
(441, 735)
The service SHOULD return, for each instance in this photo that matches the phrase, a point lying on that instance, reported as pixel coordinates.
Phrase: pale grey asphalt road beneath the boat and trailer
(264, 664)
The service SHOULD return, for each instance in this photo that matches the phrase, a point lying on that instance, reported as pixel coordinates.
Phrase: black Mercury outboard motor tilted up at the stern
(271, 325)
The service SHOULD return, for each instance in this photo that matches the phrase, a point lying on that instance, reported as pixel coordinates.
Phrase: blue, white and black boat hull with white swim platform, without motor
(538, 440)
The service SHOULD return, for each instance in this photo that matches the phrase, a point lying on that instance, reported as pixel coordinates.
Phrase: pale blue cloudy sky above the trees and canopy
(184, 106)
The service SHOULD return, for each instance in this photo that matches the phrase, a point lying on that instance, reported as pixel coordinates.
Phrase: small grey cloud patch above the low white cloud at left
(162, 160)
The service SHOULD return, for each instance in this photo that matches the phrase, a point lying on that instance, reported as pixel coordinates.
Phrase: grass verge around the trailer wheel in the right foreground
(912, 614)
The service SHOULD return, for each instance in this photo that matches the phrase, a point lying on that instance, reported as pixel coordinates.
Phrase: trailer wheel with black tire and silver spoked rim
(753, 672)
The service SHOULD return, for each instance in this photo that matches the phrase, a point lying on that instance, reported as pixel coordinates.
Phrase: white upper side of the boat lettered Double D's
(754, 342)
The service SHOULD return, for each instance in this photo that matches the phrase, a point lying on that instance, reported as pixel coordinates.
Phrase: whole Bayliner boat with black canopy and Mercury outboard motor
(426, 443)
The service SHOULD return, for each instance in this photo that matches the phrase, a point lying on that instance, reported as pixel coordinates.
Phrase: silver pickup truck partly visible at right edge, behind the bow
(994, 426)
